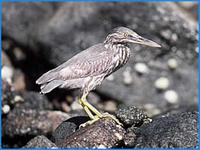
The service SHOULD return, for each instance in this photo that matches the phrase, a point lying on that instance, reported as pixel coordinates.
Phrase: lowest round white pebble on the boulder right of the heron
(171, 97)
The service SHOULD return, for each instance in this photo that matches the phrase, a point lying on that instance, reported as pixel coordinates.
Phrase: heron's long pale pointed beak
(143, 41)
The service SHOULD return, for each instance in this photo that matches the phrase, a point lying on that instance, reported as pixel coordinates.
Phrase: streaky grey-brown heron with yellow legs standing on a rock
(87, 69)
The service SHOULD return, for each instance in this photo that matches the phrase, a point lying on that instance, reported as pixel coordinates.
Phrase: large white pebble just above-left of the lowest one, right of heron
(162, 83)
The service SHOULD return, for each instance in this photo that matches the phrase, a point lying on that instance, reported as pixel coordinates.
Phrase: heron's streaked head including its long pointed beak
(125, 35)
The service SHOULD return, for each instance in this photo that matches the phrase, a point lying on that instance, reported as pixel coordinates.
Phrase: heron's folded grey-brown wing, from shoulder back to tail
(92, 61)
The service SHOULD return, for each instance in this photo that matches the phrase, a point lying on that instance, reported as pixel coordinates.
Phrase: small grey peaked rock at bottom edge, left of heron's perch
(40, 142)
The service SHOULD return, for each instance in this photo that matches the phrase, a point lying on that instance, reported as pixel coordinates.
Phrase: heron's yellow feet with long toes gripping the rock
(96, 118)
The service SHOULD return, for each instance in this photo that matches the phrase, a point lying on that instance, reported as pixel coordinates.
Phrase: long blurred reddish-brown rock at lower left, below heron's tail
(28, 122)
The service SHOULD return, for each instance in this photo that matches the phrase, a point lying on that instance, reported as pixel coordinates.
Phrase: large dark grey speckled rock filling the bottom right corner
(172, 131)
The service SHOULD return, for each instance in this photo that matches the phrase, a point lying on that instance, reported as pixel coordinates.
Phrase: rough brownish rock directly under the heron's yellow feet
(104, 133)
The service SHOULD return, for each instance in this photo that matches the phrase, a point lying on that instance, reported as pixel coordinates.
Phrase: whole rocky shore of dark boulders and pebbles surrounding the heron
(159, 83)
